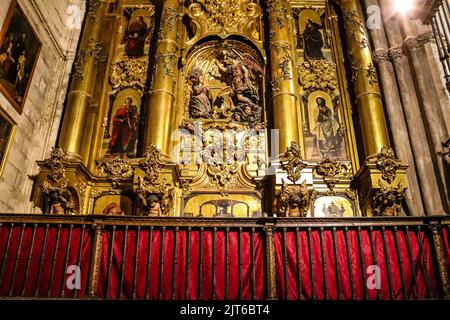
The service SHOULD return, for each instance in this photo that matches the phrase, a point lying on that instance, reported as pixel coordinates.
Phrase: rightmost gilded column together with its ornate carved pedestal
(381, 181)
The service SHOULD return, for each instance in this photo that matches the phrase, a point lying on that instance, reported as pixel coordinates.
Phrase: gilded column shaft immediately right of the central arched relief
(284, 98)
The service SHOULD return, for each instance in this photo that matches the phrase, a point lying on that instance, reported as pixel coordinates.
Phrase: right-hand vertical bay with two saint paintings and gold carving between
(324, 107)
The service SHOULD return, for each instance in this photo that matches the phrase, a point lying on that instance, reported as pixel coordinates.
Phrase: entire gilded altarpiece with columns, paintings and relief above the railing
(225, 108)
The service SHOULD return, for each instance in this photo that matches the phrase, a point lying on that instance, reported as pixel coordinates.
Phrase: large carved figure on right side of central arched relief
(241, 74)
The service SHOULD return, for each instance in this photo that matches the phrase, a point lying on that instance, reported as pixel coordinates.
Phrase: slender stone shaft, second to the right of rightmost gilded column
(411, 107)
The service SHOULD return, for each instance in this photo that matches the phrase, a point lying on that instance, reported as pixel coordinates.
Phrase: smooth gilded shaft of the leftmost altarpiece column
(73, 135)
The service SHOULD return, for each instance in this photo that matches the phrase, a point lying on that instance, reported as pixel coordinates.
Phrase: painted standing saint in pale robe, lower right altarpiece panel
(327, 130)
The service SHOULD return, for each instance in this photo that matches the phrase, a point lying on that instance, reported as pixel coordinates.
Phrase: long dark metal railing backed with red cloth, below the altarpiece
(224, 259)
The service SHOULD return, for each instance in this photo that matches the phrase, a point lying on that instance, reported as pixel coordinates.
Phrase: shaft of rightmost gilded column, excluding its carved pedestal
(368, 98)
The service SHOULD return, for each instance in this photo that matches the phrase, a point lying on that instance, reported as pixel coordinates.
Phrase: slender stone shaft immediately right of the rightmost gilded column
(395, 115)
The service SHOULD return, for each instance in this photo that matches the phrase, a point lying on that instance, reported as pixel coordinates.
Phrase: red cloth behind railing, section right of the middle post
(350, 275)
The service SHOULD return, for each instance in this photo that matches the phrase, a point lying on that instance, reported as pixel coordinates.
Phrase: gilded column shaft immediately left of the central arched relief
(162, 97)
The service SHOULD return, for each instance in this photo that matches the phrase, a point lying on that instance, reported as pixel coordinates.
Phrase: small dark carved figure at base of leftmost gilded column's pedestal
(59, 198)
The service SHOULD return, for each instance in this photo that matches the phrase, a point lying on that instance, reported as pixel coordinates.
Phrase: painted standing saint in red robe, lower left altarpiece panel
(124, 130)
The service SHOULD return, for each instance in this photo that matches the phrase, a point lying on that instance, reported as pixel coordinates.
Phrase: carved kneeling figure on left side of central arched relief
(200, 103)
